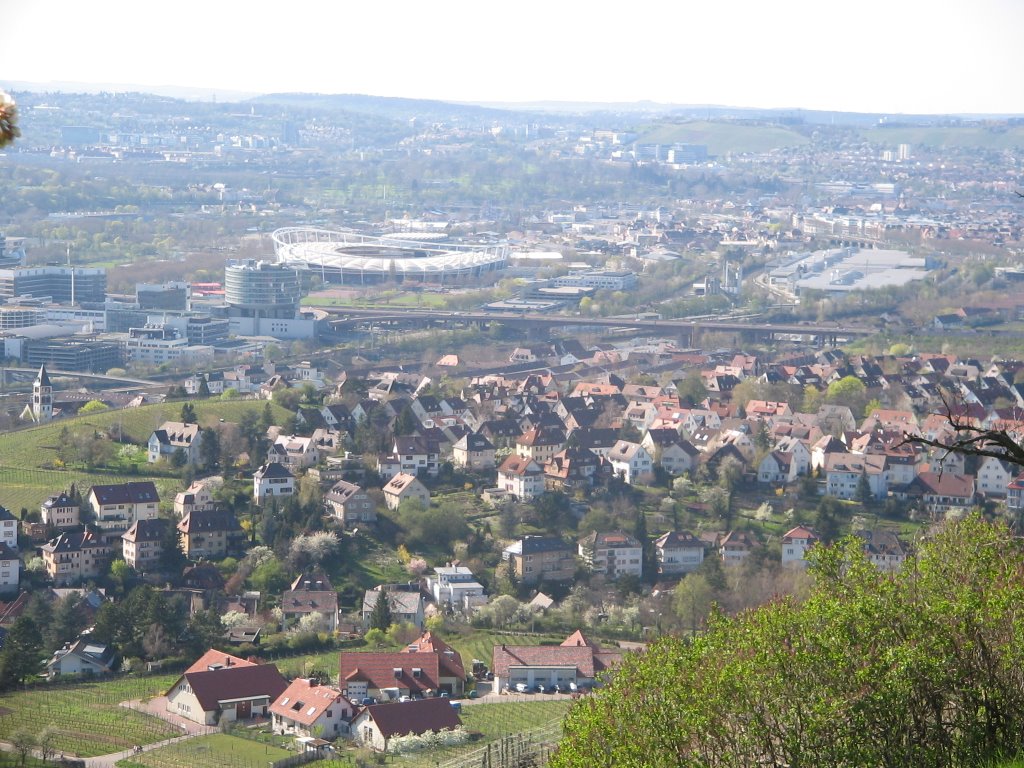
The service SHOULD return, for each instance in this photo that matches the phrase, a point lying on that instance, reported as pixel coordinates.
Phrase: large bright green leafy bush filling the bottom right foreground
(923, 660)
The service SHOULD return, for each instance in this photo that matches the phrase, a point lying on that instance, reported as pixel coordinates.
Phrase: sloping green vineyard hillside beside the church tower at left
(28, 457)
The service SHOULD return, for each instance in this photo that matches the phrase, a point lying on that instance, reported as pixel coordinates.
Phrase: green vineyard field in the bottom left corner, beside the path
(88, 717)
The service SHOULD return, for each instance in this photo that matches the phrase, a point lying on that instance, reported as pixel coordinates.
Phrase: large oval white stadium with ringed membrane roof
(351, 259)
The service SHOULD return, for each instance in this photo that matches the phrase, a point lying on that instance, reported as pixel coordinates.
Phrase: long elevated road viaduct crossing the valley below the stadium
(350, 318)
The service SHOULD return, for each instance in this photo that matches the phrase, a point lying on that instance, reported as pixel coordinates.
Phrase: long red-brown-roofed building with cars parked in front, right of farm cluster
(577, 663)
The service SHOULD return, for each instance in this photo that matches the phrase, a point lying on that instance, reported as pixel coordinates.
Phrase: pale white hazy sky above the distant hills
(870, 56)
